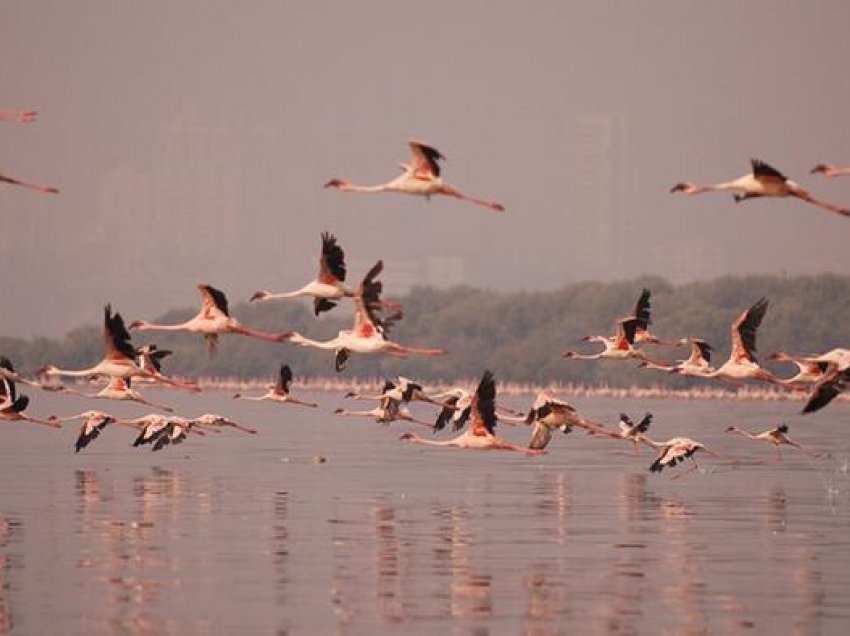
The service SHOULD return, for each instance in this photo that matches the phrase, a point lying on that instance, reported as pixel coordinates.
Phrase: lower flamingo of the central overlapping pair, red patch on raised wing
(369, 334)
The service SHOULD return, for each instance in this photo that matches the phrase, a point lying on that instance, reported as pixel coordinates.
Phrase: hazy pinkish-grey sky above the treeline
(191, 140)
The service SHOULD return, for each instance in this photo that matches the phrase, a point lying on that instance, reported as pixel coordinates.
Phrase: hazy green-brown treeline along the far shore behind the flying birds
(521, 336)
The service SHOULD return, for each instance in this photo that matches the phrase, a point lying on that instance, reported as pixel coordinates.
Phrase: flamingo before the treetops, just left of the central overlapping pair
(213, 319)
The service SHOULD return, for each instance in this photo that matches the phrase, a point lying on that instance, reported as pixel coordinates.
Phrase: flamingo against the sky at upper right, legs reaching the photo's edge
(764, 181)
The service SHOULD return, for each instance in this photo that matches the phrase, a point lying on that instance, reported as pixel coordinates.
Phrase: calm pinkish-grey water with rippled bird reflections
(239, 534)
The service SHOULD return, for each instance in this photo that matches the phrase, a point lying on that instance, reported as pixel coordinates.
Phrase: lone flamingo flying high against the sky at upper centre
(420, 177)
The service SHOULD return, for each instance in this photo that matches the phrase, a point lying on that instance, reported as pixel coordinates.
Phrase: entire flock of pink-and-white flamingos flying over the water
(824, 375)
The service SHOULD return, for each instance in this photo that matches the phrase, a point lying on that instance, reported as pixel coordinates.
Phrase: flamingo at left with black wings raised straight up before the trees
(119, 360)
